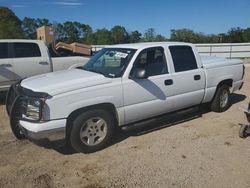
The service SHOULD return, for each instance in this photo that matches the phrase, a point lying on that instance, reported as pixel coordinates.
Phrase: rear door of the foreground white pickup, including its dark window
(188, 78)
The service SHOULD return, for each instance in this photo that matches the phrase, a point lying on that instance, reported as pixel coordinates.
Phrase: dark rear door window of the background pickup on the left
(22, 50)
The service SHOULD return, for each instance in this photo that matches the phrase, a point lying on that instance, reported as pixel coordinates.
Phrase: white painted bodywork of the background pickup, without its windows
(14, 69)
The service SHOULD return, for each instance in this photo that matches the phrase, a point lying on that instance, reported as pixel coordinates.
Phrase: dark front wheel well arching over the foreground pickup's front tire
(105, 106)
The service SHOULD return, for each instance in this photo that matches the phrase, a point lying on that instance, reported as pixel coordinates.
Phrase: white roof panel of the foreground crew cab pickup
(147, 44)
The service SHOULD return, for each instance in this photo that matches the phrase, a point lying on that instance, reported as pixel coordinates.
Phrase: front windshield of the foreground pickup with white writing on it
(110, 62)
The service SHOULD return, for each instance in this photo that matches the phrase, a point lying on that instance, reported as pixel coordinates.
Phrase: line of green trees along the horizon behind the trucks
(12, 27)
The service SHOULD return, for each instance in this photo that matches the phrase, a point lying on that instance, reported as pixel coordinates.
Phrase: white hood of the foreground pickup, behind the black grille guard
(64, 81)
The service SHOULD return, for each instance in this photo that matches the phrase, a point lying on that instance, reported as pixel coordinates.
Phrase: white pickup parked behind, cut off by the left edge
(24, 58)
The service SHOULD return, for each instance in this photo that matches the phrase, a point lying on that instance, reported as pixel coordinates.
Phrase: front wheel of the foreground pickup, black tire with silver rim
(80, 125)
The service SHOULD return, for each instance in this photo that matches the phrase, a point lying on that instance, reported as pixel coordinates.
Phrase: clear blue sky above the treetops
(206, 16)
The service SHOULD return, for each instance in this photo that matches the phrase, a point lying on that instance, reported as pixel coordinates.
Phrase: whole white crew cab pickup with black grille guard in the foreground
(119, 86)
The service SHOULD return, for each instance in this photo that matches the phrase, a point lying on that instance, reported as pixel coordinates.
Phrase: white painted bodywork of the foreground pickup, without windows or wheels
(134, 100)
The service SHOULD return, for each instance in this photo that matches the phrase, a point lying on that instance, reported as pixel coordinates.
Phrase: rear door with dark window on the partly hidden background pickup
(28, 60)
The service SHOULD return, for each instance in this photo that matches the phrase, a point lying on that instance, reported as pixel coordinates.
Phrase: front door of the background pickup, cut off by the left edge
(6, 66)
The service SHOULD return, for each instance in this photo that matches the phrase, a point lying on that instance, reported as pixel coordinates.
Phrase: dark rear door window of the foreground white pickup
(183, 58)
